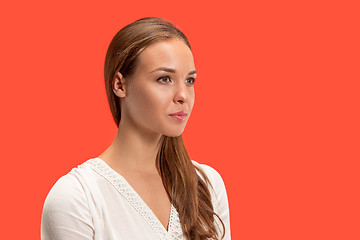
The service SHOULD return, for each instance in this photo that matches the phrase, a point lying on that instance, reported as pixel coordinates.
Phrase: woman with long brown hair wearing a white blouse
(144, 186)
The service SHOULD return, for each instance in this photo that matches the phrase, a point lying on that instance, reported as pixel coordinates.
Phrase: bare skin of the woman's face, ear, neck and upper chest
(147, 97)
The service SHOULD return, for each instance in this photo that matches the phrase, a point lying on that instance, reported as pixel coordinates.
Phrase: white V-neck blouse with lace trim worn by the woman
(93, 201)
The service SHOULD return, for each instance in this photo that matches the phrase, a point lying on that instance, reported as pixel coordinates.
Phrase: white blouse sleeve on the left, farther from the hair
(66, 213)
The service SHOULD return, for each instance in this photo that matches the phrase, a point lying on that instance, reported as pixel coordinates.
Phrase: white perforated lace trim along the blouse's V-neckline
(174, 230)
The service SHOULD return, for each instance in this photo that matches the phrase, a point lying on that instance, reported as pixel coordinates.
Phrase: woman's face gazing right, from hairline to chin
(160, 93)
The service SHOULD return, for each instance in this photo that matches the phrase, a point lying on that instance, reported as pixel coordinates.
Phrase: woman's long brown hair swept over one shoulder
(188, 191)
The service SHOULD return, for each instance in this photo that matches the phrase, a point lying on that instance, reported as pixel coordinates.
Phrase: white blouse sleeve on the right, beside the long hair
(220, 199)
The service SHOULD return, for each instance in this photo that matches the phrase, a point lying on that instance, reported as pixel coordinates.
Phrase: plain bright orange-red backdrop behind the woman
(276, 110)
